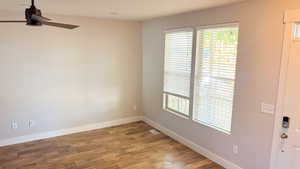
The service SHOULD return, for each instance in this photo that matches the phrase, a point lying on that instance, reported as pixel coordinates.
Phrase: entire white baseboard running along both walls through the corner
(203, 151)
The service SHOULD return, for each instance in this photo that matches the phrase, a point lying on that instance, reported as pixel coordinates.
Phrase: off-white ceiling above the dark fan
(120, 9)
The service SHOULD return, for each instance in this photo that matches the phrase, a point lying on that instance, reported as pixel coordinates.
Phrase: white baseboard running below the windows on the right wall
(201, 150)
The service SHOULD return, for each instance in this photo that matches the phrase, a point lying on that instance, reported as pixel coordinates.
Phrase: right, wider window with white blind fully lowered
(215, 76)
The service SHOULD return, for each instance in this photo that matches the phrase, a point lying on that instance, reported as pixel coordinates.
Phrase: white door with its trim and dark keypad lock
(288, 136)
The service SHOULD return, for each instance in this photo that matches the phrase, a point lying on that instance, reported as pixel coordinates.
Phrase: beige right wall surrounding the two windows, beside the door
(260, 44)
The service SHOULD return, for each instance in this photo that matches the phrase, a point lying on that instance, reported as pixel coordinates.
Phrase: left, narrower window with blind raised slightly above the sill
(177, 71)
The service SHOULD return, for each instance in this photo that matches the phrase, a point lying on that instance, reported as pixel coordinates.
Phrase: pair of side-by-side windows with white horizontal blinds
(211, 72)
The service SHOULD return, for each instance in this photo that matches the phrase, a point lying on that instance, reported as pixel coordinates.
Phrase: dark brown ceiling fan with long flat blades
(34, 17)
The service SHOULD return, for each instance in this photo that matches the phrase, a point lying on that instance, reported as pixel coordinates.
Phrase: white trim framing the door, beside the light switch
(290, 17)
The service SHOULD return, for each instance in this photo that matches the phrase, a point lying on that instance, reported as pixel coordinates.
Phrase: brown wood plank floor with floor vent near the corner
(129, 146)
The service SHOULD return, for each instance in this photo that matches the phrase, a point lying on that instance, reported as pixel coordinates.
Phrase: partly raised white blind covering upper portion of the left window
(178, 60)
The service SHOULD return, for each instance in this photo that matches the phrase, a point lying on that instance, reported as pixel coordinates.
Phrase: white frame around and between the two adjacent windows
(165, 94)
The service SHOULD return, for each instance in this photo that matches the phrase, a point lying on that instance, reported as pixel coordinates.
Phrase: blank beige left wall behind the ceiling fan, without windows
(67, 78)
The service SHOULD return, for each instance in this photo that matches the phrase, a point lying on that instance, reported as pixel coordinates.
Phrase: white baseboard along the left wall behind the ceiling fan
(62, 132)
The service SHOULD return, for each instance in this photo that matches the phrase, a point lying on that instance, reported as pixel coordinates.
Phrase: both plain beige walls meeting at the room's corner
(62, 78)
